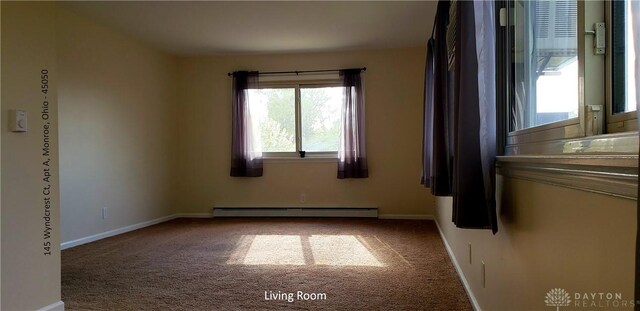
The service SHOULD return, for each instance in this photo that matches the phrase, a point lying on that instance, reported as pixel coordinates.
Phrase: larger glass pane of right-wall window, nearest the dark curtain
(545, 63)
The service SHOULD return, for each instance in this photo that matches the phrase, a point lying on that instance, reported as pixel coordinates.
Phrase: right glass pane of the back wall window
(320, 118)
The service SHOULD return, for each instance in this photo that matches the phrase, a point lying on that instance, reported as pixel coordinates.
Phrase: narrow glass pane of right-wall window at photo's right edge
(623, 58)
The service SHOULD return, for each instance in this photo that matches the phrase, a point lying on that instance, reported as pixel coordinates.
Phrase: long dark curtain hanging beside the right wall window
(462, 108)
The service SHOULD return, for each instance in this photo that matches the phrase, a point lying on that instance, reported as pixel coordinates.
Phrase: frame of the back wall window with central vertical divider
(297, 85)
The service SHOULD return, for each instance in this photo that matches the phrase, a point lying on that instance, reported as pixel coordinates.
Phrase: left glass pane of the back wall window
(273, 113)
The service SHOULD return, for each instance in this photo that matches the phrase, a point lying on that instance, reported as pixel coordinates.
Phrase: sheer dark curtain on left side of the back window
(246, 156)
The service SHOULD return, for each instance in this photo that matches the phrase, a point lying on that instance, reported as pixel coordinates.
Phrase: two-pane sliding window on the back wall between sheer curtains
(294, 117)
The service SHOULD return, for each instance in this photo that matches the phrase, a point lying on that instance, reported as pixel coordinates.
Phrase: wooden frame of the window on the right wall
(591, 131)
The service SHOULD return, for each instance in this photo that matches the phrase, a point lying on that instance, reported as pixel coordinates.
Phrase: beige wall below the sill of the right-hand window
(549, 237)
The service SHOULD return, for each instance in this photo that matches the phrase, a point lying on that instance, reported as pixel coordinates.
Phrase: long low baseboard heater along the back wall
(295, 212)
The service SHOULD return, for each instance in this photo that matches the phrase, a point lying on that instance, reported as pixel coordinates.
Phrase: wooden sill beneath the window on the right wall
(615, 175)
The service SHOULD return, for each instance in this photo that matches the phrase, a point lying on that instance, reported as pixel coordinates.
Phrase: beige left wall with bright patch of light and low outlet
(117, 128)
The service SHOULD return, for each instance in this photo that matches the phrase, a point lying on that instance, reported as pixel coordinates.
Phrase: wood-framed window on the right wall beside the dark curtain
(567, 94)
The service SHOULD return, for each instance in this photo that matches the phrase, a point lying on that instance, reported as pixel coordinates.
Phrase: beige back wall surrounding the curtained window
(394, 118)
